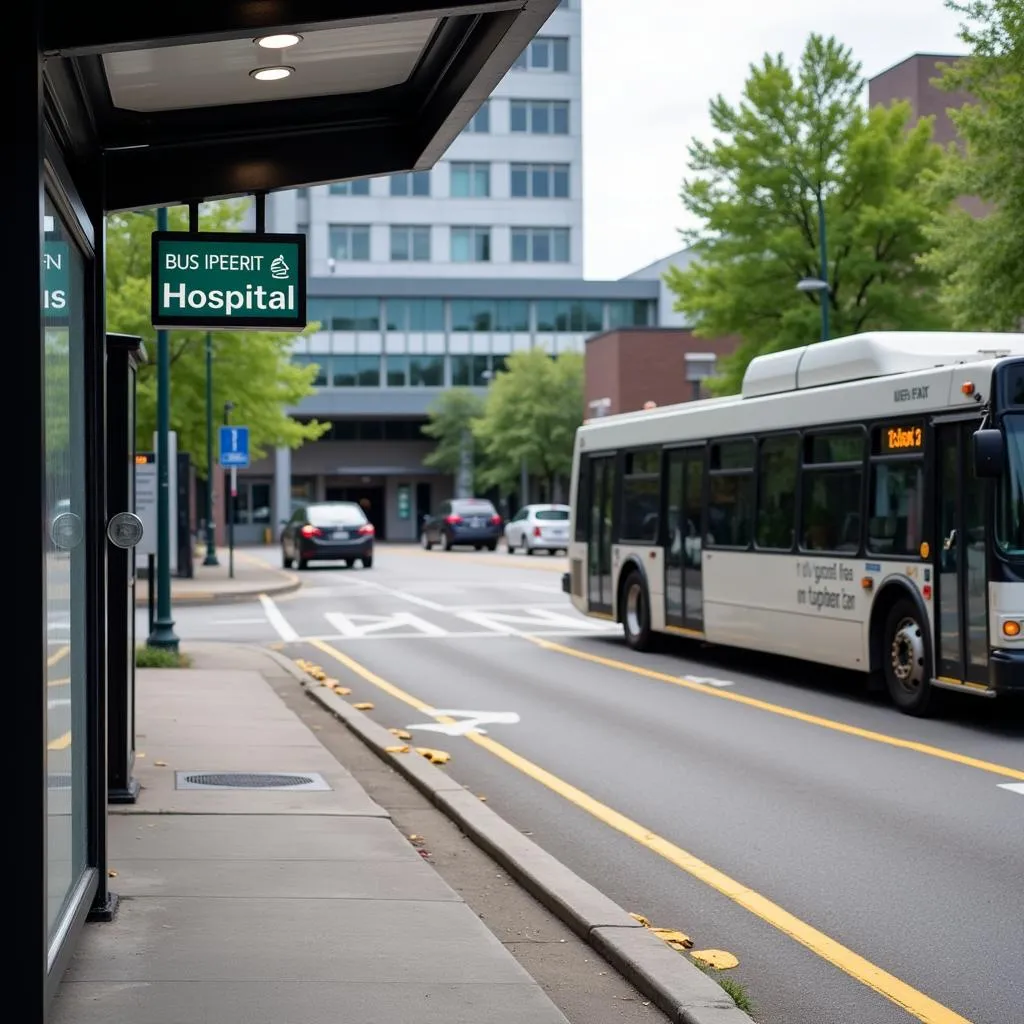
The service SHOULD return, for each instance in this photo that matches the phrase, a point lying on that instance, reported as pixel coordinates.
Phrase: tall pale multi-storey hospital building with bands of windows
(430, 280)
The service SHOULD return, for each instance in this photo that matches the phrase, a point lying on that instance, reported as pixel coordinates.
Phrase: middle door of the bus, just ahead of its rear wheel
(685, 515)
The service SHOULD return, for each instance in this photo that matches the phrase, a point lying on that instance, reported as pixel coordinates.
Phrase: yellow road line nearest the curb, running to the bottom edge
(914, 1002)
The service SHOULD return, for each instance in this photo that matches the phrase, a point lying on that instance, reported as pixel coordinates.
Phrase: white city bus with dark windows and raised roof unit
(860, 504)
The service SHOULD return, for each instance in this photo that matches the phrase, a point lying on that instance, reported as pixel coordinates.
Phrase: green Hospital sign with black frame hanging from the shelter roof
(227, 281)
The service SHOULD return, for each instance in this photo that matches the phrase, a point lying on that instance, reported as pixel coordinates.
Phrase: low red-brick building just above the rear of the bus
(626, 369)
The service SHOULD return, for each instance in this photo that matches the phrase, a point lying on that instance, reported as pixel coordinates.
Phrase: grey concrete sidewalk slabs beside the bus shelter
(274, 907)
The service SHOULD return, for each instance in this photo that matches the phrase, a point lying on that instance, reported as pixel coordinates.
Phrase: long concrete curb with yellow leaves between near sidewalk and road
(675, 986)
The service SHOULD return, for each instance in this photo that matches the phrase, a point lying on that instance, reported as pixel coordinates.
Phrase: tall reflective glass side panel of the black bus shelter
(64, 345)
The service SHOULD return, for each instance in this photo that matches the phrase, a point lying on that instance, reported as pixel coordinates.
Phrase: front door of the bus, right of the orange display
(961, 585)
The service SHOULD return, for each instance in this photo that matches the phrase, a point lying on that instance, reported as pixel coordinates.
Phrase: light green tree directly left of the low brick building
(533, 411)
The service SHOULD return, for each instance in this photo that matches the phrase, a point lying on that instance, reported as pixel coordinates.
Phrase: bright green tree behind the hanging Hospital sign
(253, 369)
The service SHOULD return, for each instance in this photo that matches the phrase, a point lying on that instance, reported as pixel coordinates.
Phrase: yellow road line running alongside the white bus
(800, 716)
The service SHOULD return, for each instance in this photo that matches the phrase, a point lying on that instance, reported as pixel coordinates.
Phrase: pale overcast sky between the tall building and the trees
(651, 68)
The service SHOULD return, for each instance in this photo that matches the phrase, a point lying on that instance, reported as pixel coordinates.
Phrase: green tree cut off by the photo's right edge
(982, 260)
